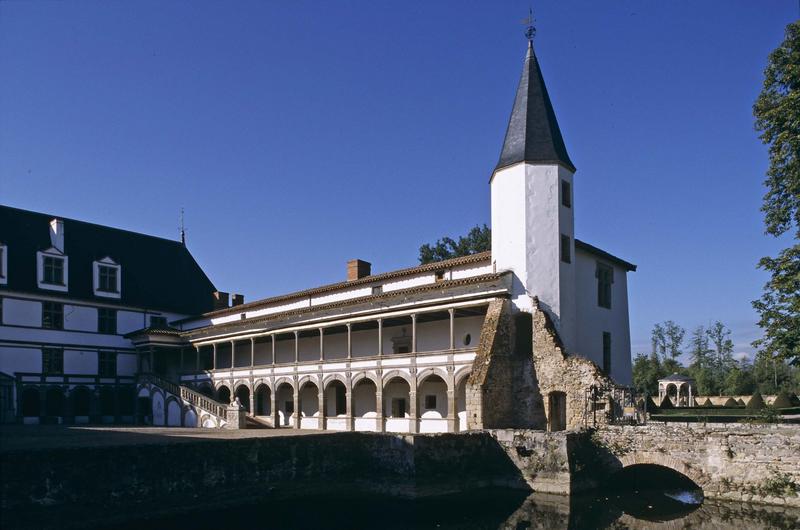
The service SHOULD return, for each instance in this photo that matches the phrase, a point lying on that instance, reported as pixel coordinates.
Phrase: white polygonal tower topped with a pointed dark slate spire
(532, 207)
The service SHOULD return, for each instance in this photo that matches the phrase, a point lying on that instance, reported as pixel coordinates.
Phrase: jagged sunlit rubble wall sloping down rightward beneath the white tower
(555, 371)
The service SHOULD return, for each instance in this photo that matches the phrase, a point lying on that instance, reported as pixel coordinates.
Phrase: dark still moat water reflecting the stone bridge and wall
(481, 510)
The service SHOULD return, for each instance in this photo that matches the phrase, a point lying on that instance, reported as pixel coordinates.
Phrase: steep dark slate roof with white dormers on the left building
(158, 274)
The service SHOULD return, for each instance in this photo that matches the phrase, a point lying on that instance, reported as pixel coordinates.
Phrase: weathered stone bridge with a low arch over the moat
(759, 463)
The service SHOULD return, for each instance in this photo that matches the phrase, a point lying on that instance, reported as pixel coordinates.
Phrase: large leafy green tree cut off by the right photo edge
(777, 113)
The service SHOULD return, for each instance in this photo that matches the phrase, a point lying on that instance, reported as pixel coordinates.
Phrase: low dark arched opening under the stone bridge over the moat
(653, 492)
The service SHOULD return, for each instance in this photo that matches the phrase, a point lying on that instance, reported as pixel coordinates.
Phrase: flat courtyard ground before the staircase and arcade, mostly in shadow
(38, 437)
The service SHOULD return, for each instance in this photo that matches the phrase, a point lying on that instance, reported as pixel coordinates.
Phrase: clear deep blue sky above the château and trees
(298, 135)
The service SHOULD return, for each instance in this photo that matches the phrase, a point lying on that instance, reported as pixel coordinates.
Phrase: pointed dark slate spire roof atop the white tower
(533, 134)
